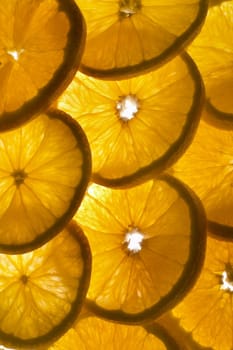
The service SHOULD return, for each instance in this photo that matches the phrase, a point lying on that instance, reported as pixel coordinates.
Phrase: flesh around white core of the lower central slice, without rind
(133, 282)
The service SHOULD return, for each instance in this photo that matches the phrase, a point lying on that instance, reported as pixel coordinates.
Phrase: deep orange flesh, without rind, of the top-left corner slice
(37, 32)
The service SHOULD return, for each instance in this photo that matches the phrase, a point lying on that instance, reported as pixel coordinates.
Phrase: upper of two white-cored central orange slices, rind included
(122, 120)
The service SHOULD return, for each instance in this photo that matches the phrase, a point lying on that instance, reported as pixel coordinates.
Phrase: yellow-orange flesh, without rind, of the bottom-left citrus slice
(37, 289)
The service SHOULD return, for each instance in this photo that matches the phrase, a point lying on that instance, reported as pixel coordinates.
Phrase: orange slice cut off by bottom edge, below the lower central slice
(94, 333)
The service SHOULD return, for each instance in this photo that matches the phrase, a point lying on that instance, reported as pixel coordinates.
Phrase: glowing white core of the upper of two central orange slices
(127, 107)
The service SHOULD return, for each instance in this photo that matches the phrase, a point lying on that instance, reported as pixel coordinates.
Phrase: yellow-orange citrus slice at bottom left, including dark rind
(42, 291)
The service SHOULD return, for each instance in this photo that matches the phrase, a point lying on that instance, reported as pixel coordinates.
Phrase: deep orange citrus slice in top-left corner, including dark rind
(41, 43)
